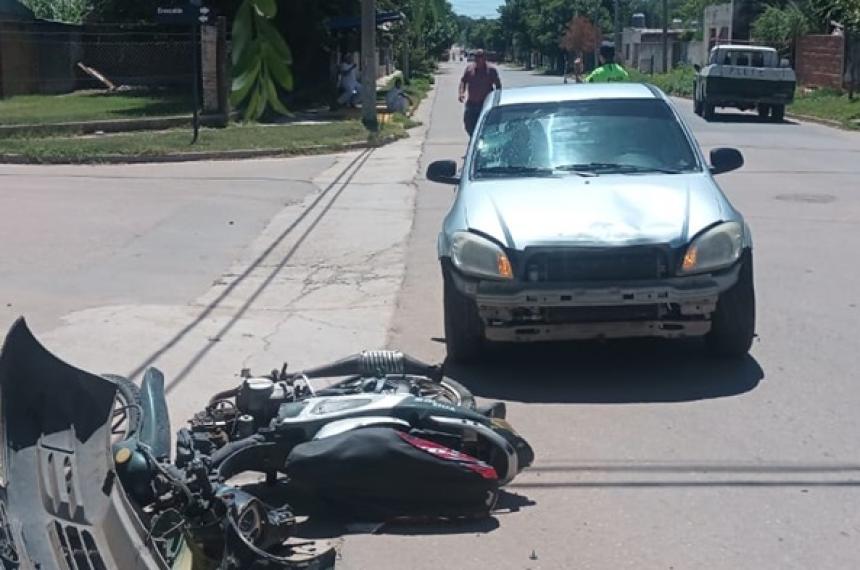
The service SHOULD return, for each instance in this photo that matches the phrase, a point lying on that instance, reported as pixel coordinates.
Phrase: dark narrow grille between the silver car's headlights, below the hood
(565, 265)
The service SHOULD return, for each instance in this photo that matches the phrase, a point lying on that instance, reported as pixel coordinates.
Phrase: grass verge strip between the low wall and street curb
(282, 138)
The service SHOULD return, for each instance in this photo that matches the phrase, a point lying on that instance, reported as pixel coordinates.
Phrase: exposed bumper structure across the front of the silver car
(674, 307)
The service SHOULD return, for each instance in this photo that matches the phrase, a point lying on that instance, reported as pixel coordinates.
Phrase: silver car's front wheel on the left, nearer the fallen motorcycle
(464, 329)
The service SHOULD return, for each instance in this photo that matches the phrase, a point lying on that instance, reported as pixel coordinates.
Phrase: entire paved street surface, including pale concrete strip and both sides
(650, 454)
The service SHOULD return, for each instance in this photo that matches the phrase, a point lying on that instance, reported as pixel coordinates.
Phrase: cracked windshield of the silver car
(622, 136)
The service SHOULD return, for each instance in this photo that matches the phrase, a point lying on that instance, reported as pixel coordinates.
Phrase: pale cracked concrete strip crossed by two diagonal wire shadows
(319, 282)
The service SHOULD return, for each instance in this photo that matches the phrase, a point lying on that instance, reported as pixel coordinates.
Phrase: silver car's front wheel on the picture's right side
(733, 323)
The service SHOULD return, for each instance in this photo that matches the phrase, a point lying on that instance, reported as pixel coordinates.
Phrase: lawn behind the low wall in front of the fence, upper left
(90, 106)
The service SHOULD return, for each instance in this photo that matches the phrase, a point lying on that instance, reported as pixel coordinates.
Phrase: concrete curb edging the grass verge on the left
(202, 156)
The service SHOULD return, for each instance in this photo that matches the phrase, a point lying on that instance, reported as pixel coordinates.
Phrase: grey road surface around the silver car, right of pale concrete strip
(650, 454)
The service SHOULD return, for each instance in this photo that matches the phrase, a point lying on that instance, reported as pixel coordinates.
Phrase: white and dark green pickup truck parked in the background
(744, 77)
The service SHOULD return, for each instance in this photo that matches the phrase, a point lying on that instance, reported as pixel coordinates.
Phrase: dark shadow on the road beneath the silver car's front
(634, 371)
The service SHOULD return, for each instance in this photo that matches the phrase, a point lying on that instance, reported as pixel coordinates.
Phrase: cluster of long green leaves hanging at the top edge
(262, 60)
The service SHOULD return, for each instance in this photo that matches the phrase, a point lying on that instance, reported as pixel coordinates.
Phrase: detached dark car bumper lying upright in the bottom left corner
(61, 504)
